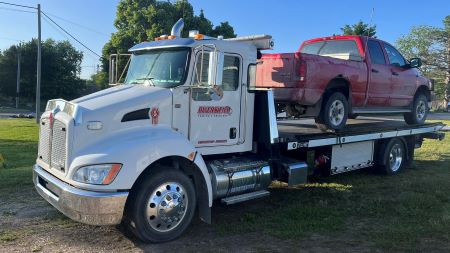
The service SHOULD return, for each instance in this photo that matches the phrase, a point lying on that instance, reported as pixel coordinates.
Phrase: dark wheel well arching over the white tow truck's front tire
(191, 170)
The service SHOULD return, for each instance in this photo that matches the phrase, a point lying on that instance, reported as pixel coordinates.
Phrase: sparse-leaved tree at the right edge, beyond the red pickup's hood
(432, 45)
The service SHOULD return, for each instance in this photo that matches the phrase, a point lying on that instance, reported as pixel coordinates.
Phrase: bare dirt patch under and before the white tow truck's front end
(29, 224)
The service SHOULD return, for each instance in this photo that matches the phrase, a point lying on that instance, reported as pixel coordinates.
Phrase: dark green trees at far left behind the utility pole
(61, 65)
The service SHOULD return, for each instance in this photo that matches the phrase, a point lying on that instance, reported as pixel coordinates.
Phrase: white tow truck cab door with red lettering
(215, 101)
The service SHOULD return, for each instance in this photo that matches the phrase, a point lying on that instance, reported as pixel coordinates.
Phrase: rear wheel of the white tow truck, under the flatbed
(392, 156)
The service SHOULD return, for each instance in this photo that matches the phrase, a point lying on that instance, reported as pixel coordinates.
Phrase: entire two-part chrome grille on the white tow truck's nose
(52, 144)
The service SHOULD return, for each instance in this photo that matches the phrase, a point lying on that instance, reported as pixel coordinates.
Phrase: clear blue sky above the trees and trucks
(289, 21)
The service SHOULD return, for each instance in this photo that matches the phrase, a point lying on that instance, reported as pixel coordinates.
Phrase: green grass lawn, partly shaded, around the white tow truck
(408, 212)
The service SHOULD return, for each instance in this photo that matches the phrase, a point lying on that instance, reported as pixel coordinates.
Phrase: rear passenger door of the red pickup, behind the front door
(379, 84)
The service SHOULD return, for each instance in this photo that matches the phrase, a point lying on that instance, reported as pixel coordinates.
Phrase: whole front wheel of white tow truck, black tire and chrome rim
(163, 206)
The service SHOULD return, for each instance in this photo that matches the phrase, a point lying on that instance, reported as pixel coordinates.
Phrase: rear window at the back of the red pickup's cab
(342, 49)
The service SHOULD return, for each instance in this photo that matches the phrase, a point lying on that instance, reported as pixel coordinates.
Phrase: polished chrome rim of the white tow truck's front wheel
(167, 206)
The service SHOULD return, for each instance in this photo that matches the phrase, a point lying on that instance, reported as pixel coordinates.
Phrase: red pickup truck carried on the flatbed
(340, 77)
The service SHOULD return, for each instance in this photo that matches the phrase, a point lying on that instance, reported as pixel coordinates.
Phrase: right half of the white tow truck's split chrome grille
(58, 155)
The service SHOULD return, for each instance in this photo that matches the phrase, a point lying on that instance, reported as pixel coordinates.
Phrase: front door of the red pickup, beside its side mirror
(403, 79)
